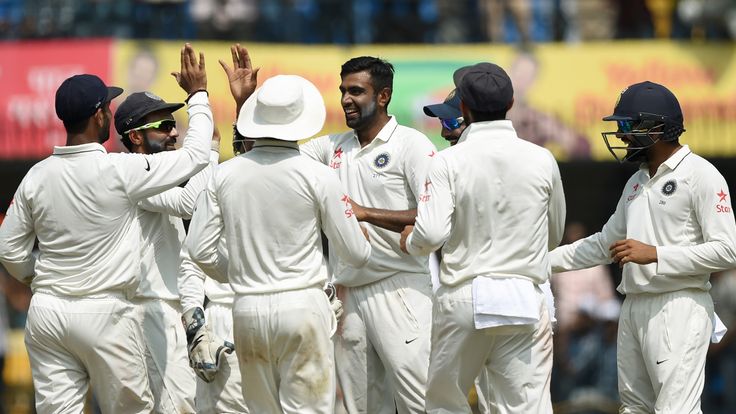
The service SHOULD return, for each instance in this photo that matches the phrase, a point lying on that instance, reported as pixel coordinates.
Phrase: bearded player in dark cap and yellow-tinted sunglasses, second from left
(147, 126)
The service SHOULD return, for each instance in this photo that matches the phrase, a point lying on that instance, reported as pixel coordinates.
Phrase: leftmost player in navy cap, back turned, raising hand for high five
(81, 204)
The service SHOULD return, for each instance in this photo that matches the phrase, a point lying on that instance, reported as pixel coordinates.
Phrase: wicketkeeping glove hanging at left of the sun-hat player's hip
(206, 350)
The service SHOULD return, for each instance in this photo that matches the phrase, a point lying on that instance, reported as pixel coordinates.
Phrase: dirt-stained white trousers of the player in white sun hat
(285, 352)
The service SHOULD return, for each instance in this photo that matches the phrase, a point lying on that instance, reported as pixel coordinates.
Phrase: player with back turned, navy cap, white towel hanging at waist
(495, 204)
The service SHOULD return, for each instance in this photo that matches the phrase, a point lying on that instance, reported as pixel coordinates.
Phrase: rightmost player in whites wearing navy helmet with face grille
(672, 227)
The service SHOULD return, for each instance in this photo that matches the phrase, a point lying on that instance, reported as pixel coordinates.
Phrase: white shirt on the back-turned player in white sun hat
(271, 204)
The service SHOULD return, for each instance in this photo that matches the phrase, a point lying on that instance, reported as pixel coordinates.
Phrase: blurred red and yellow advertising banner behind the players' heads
(562, 91)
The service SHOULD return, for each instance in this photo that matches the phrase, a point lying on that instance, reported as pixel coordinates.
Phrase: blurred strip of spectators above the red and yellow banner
(370, 21)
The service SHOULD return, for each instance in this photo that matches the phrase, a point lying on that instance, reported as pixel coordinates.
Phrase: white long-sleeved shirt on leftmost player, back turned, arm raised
(81, 204)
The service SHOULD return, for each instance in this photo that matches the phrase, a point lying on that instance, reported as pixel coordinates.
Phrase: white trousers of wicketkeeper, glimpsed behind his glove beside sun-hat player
(224, 394)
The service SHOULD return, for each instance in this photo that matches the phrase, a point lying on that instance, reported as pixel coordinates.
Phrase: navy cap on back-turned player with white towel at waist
(484, 87)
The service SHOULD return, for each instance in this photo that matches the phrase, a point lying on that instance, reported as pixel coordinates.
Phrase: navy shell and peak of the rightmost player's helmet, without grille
(648, 98)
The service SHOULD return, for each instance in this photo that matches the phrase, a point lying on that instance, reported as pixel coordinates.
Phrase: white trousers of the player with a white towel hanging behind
(517, 359)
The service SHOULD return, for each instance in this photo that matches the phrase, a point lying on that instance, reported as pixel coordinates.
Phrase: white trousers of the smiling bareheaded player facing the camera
(382, 349)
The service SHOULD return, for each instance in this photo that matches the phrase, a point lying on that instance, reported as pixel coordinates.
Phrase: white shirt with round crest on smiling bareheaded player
(387, 174)
